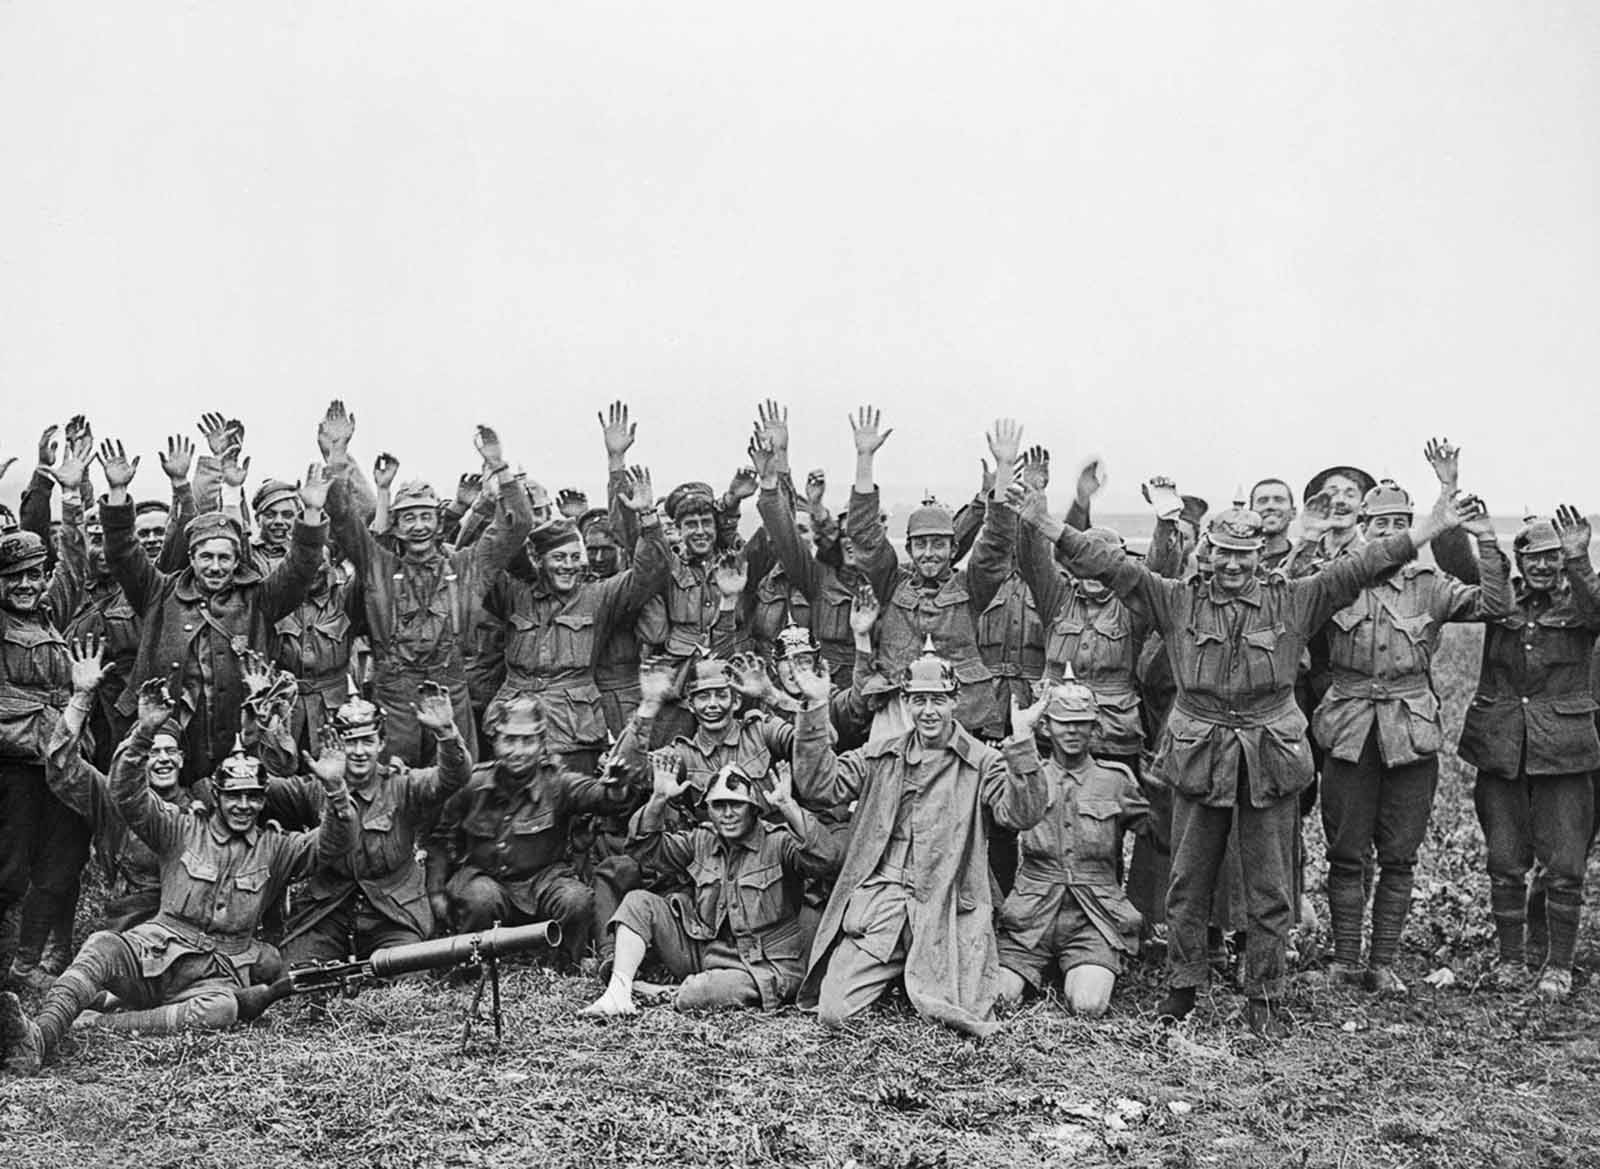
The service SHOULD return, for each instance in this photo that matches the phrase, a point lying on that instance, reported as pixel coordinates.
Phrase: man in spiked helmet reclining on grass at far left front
(191, 965)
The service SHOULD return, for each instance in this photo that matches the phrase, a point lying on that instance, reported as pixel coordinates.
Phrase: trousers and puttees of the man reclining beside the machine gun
(196, 991)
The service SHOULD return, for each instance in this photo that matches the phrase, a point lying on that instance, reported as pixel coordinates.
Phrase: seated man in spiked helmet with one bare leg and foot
(737, 940)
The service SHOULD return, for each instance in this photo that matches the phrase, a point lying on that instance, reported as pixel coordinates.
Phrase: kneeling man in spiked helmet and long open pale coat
(913, 898)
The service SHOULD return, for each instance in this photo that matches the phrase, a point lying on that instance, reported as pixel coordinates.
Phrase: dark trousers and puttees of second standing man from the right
(1369, 805)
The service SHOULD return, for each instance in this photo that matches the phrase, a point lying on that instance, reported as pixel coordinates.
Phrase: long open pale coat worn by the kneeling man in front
(953, 962)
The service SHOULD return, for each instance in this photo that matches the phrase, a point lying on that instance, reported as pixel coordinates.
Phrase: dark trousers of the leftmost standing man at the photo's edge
(44, 847)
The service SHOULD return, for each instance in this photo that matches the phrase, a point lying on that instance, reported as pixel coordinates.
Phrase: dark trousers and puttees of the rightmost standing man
(1537, 820)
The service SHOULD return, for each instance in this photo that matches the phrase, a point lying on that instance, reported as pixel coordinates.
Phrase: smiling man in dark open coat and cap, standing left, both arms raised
(199, 623)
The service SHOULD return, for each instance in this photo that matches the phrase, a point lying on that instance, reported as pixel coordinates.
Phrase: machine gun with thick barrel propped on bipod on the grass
(463, 952)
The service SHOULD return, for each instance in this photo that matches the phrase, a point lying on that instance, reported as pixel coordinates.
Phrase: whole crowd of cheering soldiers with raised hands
(308, 720)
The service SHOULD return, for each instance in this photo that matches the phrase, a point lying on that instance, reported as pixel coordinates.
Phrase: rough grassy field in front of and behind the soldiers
(1454, 1077)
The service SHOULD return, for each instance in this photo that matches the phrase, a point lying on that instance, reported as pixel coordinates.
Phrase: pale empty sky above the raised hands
(1217, 241)
